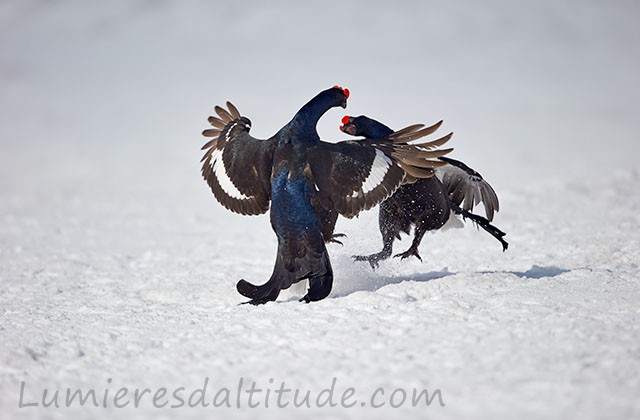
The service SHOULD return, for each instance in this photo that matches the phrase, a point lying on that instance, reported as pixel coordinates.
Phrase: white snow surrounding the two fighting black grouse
(118, 267)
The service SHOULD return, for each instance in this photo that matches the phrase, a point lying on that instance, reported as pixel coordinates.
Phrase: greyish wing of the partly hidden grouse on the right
(464, 184)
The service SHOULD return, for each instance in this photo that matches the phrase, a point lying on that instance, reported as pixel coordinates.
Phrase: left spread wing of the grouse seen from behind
(237, 166)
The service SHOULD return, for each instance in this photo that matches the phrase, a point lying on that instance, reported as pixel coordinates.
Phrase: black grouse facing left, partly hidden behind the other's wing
(427, 203)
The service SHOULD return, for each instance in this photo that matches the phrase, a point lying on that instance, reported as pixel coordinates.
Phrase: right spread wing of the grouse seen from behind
(352, 176)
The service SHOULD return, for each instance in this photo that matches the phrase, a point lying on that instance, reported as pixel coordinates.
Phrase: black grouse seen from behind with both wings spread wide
(308, 182)
